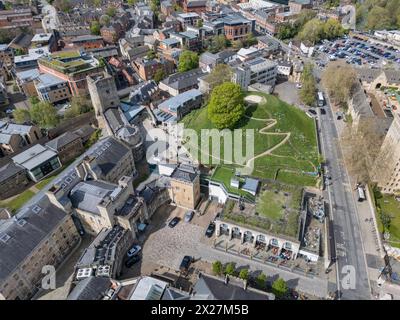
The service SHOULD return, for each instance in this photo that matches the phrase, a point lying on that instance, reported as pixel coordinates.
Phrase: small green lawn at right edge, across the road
(389, 205)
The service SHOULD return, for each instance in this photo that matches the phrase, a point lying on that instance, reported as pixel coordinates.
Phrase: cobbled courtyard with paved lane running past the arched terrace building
(166, 247)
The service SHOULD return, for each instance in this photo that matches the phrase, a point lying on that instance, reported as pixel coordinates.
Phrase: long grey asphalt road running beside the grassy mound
(346, 225)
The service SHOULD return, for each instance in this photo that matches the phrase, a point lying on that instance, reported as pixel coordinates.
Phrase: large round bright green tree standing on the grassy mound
(226, 106)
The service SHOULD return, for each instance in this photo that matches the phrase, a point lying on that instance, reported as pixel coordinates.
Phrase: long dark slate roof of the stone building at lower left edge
(41, 219)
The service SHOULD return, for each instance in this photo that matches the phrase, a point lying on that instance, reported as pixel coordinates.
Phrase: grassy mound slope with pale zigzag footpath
(293, 160)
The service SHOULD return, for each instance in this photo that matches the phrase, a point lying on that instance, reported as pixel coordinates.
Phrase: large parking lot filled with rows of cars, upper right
(358, 52)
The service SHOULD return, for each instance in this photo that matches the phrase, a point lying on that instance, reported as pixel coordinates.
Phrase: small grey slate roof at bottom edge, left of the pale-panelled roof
(92, 288)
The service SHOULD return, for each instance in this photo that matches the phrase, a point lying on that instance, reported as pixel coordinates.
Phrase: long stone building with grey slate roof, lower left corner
(42, 235)
